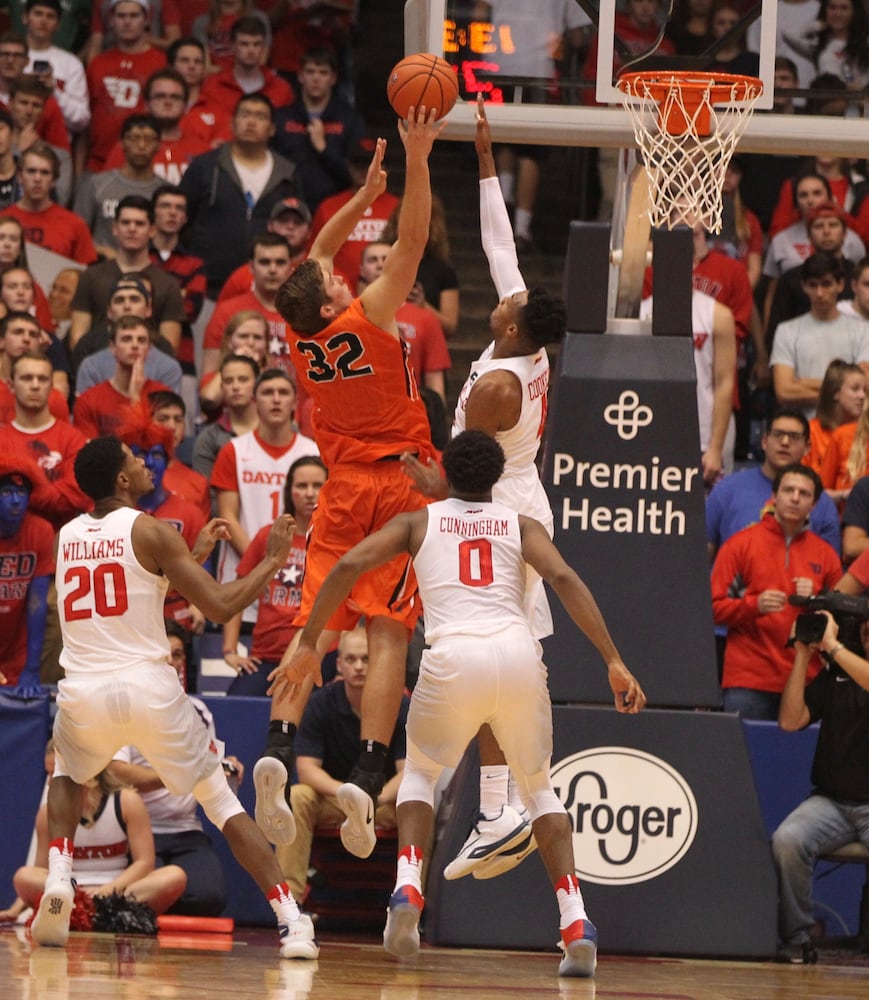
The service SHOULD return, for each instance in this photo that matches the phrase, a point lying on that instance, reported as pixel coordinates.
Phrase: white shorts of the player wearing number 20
(143, 705)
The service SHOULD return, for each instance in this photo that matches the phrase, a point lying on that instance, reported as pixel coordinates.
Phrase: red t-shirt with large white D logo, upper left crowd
(116, 81)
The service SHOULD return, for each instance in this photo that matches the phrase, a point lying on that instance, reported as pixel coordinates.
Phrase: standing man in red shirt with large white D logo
(116, 78)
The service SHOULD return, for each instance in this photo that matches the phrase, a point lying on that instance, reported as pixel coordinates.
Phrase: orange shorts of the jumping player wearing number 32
(356, 500)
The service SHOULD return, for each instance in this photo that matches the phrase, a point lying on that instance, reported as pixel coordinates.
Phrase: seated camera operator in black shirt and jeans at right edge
(837, 811)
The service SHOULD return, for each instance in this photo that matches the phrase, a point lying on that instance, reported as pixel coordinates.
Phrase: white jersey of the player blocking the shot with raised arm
(519, 487)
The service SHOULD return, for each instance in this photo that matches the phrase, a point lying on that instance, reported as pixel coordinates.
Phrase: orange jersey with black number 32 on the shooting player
(366, 401)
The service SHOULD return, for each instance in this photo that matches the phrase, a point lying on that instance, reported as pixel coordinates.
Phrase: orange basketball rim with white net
(687, 126)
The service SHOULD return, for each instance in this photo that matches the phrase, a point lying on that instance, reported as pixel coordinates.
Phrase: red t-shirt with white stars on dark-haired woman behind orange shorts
(279, 602)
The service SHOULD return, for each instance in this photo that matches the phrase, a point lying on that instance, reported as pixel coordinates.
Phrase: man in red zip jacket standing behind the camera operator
(755, 572)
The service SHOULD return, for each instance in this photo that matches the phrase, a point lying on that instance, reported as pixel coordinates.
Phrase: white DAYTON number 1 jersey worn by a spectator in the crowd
(260, 477)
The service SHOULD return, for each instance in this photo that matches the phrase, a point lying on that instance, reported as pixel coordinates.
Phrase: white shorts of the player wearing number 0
(465, 681)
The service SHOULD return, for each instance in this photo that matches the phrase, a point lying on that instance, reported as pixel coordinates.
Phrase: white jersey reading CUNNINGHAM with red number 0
(470, 569)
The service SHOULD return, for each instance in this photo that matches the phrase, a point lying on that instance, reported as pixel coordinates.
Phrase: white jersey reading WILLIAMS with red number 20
(110, 606)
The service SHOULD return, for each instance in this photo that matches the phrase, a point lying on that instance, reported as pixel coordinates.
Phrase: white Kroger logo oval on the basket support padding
(633, 815)
